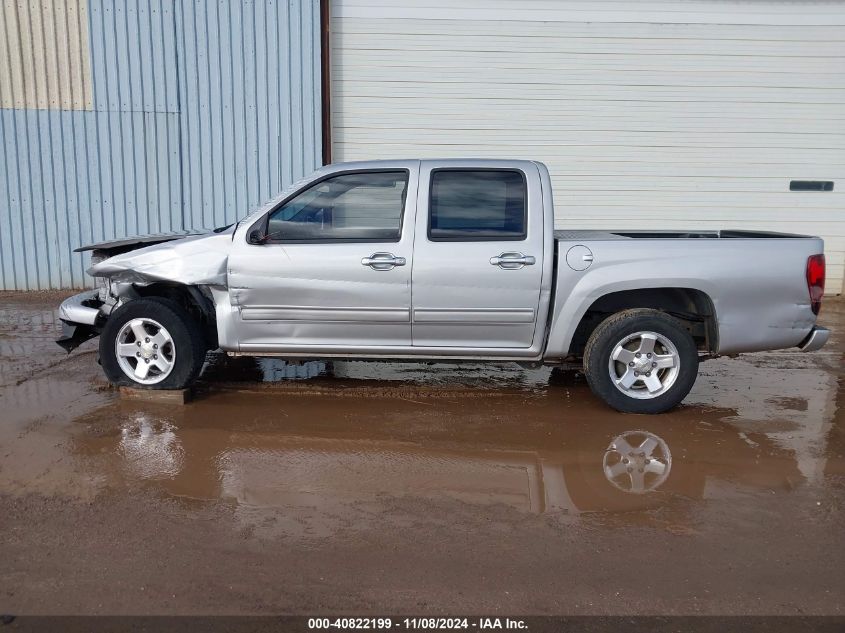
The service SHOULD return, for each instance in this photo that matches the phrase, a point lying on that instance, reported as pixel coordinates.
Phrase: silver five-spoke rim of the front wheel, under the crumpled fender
(145, 351)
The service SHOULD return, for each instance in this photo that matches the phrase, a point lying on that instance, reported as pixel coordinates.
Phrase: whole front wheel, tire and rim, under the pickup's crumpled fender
(151, 343)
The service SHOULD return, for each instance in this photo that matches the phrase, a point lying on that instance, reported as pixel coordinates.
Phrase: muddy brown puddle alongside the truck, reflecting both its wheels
(338, 461)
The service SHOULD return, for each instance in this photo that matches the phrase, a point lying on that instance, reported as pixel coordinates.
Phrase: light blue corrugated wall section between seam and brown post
(249, 89)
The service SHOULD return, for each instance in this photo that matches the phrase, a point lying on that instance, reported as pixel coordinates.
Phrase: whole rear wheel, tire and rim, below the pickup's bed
(641, 361)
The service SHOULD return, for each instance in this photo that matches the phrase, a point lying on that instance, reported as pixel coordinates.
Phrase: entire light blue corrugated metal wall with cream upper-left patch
(143, 116)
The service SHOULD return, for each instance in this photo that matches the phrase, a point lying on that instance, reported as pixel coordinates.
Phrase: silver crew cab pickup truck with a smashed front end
(447, 260)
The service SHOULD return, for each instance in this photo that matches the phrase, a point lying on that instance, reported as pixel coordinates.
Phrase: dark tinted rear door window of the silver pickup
(477, 205)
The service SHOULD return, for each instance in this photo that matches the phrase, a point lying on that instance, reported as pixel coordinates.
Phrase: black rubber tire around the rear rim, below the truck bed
(615, 329)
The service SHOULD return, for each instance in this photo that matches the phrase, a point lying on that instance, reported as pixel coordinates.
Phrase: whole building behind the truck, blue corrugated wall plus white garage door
(135, 116)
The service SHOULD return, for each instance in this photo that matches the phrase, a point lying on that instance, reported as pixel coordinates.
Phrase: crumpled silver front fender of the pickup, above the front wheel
(199, 259)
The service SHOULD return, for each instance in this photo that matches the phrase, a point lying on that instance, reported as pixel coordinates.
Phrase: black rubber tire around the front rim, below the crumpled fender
(186, 336)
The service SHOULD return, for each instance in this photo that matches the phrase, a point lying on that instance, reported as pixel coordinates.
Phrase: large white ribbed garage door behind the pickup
(676, 114)
